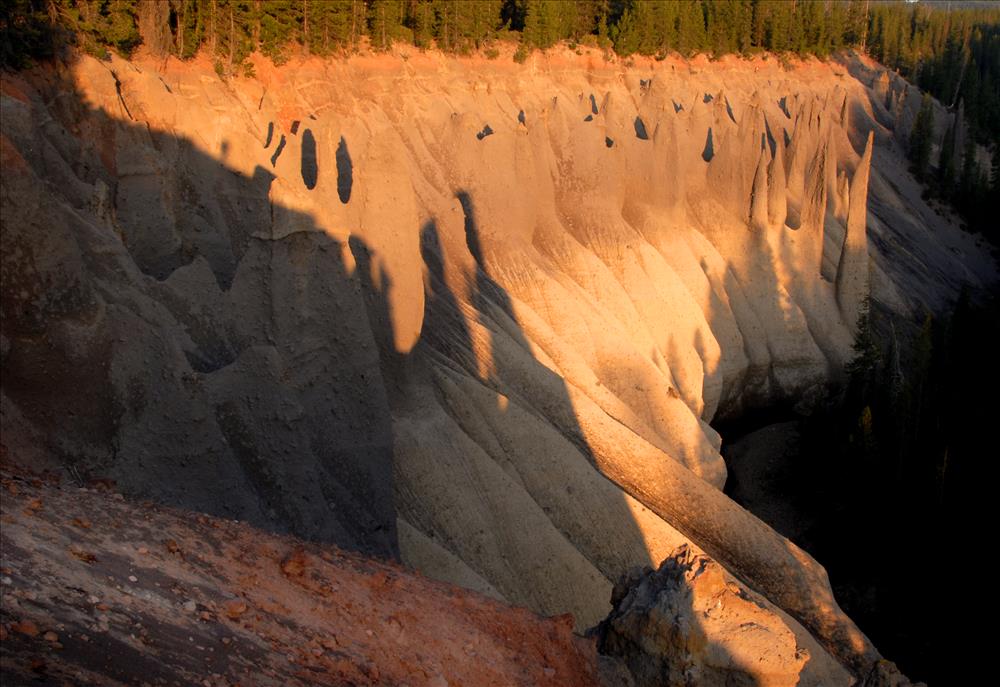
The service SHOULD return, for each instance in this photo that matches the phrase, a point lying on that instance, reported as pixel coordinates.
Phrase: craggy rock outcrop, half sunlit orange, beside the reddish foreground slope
(691, 623)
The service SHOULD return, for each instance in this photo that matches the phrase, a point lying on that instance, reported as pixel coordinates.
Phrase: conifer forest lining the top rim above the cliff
(950, 49)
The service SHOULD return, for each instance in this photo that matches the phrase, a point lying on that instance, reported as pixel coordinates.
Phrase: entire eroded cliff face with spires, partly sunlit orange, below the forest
(476, 315)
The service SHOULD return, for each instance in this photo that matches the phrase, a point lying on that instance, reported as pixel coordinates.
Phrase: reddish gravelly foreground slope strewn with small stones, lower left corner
(99, 590)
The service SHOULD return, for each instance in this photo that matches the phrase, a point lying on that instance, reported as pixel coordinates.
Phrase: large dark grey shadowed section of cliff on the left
(178, 333)
